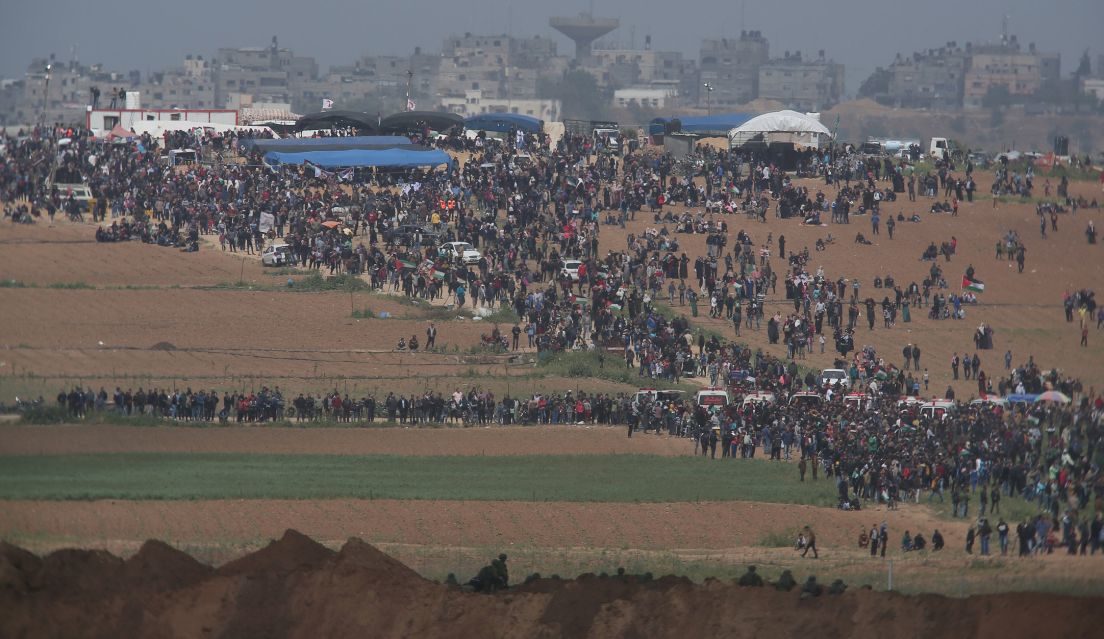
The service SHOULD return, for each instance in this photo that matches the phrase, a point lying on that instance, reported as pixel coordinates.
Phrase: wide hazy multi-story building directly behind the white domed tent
(802, 84)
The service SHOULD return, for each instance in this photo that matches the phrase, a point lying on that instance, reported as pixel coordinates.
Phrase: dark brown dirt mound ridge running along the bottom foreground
(296, 588)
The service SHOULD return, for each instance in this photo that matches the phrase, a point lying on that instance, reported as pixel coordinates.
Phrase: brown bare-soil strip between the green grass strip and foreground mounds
(657, 527)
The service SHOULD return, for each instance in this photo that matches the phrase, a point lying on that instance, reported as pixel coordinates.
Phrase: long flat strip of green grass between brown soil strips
(619, 478)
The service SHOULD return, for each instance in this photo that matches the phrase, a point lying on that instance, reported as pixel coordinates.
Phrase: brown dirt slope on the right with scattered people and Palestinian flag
(1024, 310)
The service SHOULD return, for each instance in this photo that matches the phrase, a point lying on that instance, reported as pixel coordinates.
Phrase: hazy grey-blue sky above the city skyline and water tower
(863, 35)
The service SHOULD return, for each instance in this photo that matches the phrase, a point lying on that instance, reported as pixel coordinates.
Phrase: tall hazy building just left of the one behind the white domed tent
(729, 71)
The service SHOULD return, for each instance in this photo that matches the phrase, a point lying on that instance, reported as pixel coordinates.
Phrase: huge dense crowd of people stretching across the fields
(533, 206)
